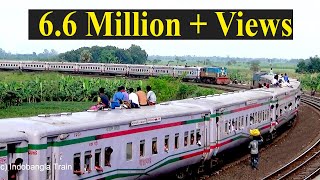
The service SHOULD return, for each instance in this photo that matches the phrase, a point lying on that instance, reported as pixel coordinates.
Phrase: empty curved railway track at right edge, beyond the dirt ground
(306, 165)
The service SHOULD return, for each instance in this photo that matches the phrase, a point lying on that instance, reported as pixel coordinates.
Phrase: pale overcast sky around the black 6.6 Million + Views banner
(306, 28)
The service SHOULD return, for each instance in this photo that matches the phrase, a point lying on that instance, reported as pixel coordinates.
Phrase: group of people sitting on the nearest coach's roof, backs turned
(126, 99)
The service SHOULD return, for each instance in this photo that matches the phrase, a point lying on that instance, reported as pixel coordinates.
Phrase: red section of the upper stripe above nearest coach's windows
(132, 131)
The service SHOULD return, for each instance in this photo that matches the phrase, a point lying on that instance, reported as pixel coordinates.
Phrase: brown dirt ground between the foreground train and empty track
(306, 129)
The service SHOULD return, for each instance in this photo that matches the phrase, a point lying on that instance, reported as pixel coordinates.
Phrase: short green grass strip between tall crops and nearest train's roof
(34, 109)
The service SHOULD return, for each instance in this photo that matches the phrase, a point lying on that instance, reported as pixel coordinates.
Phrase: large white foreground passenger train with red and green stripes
(181, 136)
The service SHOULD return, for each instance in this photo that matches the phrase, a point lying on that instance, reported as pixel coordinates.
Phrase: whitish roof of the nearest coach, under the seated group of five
(89, 120)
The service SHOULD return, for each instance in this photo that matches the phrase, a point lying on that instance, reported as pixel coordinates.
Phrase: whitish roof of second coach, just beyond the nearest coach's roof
(227, 99)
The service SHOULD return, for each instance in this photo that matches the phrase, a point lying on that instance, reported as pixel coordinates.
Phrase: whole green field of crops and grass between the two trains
(42, 92)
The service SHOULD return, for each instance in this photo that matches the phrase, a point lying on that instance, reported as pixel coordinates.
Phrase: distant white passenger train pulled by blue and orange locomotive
(213, 75)
